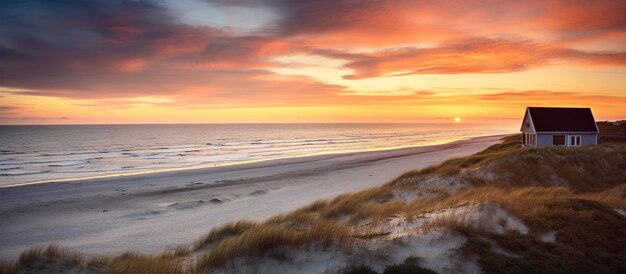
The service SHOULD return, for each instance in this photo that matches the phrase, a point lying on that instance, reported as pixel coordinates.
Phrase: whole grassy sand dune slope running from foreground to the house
(506, 209)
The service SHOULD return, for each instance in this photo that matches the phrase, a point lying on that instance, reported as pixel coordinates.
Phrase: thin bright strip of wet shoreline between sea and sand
(237, 163)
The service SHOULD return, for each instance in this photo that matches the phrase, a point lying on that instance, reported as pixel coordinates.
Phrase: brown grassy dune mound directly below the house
(511, 165)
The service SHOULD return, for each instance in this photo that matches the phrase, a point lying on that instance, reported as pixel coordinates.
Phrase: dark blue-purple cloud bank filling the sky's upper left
(113, 48)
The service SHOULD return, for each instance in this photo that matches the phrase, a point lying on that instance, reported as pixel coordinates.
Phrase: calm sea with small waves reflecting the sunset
(45, 153)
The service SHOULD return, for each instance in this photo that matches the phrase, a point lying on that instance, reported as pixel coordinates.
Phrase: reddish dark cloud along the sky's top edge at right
(378, 22)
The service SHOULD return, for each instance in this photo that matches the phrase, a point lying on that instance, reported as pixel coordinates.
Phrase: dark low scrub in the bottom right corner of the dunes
(590, 238)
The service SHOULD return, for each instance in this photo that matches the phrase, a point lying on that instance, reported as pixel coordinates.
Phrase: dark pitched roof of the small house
(562, 119)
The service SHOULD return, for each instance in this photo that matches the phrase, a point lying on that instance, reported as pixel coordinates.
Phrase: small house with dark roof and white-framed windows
(550, 126)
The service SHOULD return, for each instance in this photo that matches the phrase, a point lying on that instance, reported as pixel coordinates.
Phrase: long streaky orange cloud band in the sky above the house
(475, 55)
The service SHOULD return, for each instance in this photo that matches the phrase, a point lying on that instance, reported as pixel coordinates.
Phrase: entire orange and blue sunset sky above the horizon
(249, 61)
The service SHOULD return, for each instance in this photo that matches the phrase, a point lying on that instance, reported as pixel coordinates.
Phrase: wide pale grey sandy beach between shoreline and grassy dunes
(156, 212)
